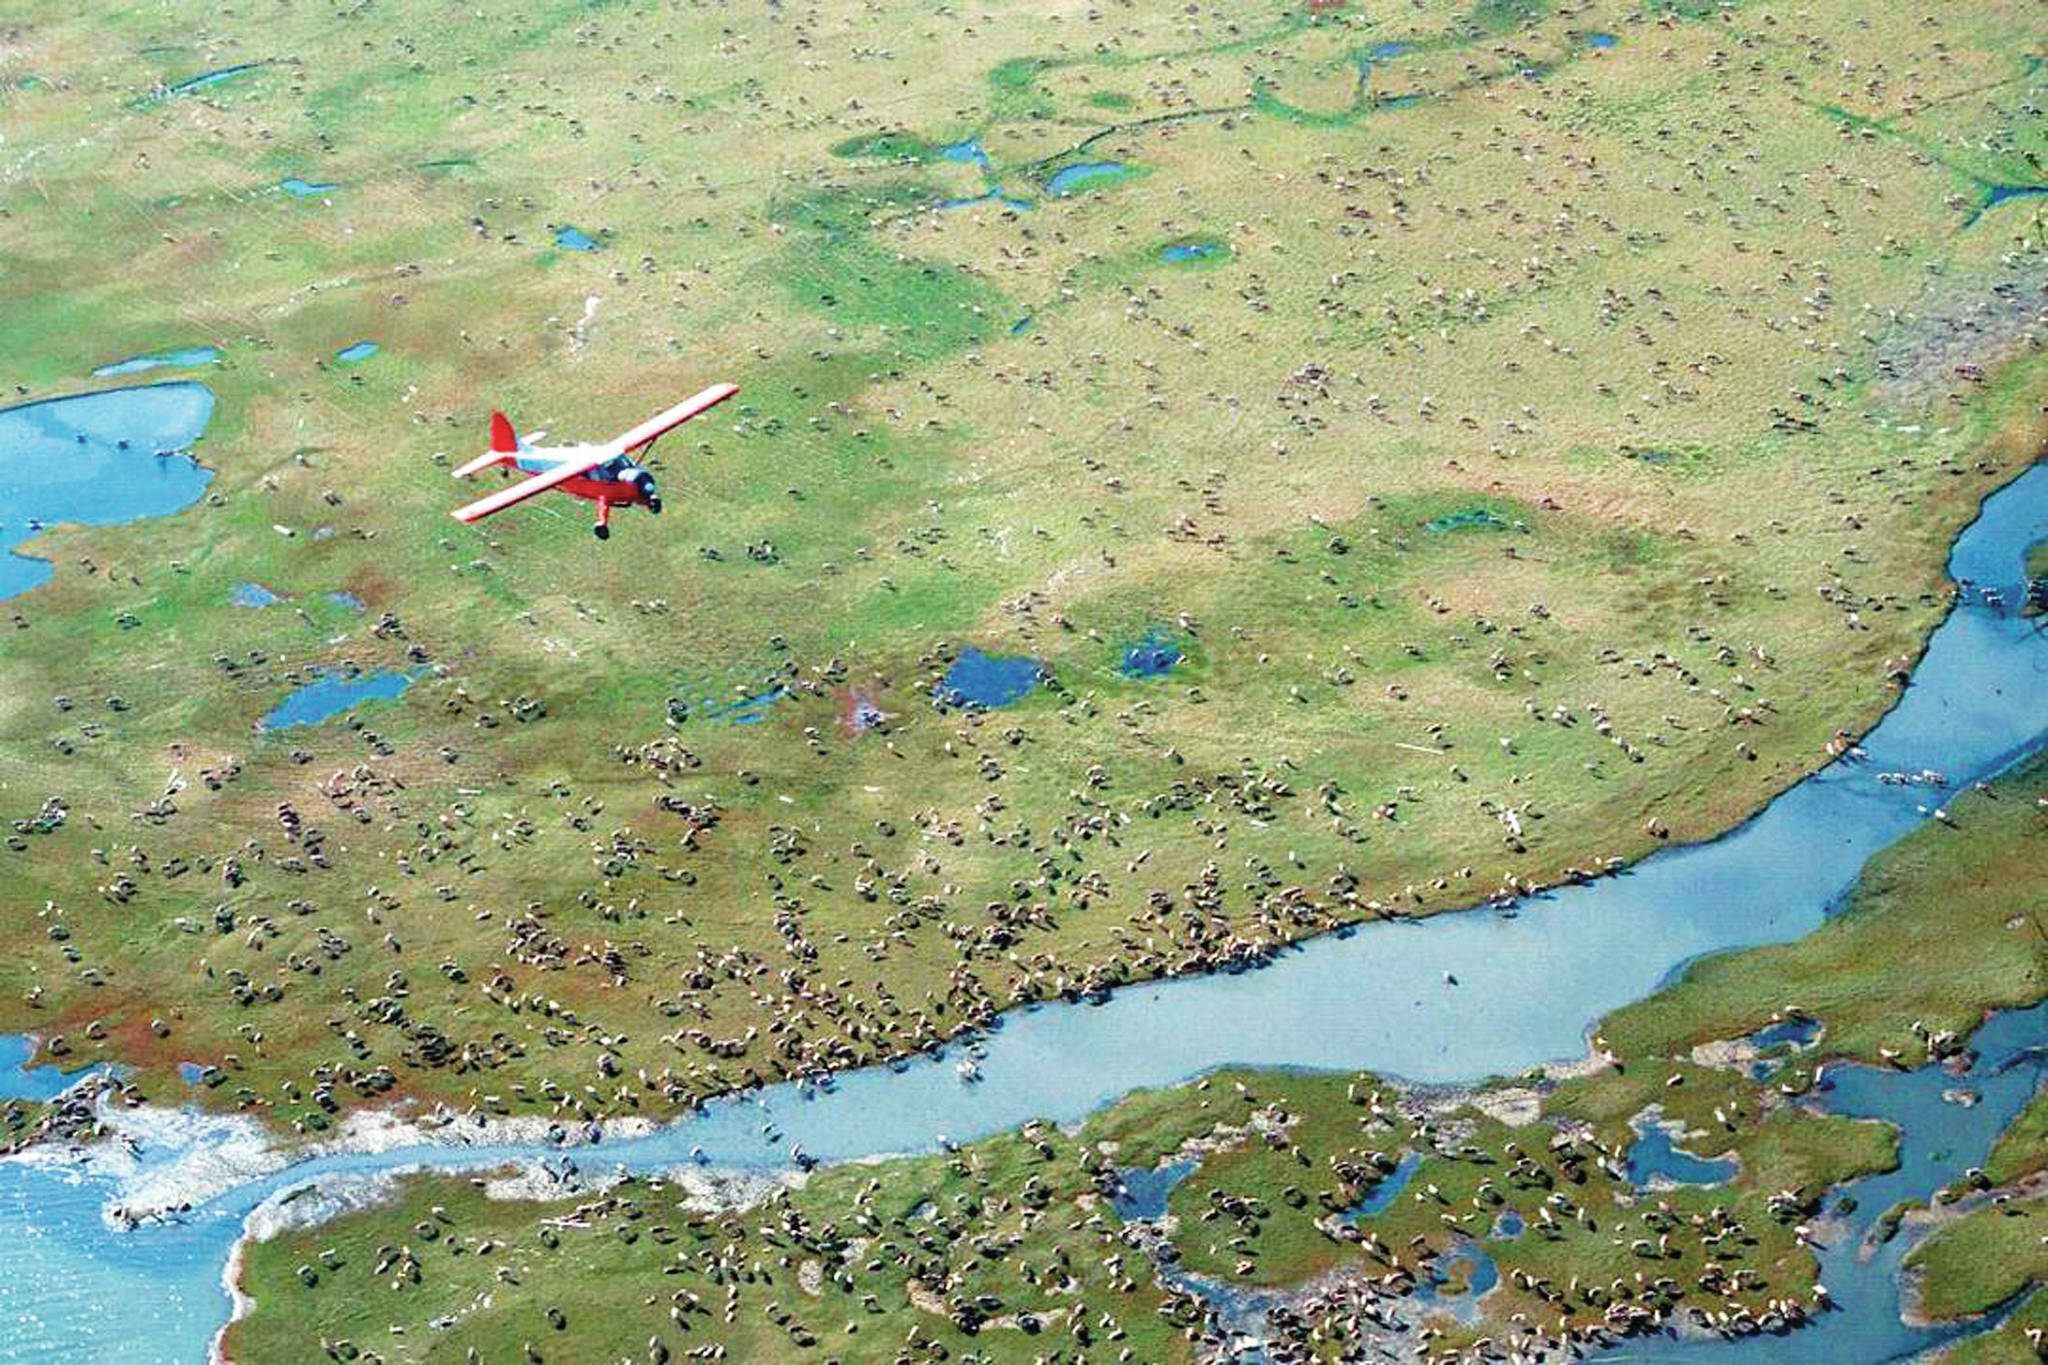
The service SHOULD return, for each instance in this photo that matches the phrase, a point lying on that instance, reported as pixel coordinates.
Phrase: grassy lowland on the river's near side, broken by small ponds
(1283, 1163)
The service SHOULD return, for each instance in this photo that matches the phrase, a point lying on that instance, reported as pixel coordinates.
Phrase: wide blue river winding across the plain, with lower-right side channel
(1375, 1000)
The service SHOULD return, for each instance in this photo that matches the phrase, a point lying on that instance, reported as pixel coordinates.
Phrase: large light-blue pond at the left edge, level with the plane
(95, 459)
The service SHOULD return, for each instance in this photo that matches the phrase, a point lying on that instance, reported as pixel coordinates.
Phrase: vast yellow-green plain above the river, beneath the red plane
(1574, 302)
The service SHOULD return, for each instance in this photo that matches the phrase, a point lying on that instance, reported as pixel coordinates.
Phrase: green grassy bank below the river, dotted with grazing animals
(1283, 1153)
